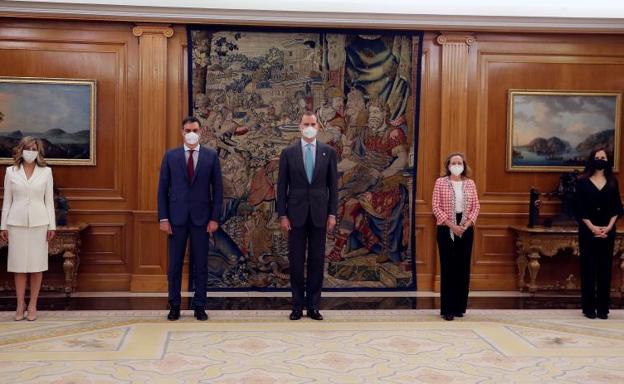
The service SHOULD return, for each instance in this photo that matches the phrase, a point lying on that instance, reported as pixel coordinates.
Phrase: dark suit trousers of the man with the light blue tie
(306, 290)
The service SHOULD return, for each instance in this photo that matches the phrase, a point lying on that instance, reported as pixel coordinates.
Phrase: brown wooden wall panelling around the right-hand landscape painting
(508, 61)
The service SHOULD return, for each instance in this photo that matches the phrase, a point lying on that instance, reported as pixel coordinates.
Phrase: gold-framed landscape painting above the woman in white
(60, 112)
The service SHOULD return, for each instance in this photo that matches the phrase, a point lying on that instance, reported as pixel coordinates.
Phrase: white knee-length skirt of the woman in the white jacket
(28, 249)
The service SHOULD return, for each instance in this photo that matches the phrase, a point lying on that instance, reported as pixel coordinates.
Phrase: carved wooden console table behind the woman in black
(534, 243)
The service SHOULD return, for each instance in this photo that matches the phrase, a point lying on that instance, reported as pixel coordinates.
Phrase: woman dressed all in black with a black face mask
(598, 207)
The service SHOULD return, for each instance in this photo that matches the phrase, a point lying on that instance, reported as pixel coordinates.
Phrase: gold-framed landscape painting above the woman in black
(554, 131)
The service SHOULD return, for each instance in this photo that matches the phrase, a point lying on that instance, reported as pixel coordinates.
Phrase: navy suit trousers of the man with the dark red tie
(199, 239)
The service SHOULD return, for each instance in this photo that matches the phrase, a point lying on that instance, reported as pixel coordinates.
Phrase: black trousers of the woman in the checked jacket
(455, 269)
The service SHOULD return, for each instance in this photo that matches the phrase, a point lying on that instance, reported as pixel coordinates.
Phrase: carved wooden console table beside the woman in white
(67, 243)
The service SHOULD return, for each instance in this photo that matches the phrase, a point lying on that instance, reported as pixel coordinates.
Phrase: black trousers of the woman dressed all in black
(596, 263)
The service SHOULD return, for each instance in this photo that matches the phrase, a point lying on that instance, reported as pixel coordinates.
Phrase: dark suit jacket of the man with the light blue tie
(295, 195)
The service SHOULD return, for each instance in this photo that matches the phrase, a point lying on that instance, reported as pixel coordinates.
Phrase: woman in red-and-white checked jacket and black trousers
(456, 207)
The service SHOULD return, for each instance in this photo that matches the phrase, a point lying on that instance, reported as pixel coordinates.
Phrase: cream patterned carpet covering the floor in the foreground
(262, 347)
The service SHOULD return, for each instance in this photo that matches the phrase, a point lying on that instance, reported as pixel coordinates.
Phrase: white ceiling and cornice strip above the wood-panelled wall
(558, 15)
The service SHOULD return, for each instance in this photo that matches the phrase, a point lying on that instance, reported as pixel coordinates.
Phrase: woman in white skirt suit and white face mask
(28, 220)
